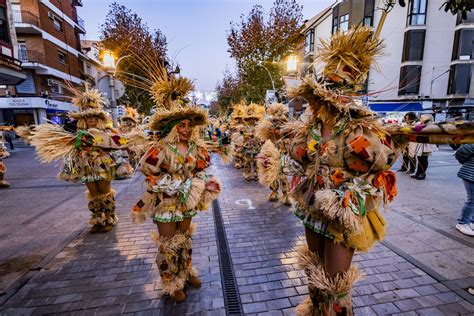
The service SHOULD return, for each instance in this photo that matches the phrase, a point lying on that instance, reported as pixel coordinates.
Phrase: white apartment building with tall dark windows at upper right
(428, 53)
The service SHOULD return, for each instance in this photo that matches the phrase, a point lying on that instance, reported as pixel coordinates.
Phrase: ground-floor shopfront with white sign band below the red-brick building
(33, 110)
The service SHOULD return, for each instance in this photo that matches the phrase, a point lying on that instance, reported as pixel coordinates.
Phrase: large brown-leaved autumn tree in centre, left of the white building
(260, 41)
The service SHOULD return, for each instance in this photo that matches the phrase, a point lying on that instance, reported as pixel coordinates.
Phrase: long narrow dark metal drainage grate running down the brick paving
(229, 285)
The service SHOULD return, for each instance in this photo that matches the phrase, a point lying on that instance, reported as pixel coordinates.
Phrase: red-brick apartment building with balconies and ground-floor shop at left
(49, 48)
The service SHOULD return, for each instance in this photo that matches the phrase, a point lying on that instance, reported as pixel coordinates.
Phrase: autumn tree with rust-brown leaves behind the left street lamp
(124, 33)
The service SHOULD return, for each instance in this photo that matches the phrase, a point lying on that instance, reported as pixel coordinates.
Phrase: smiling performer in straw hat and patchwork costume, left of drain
(177, 184)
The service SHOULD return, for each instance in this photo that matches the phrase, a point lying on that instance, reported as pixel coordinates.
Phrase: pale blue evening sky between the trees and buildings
(195, 29)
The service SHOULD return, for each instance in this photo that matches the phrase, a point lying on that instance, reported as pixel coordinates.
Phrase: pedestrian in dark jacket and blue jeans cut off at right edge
(465, 155)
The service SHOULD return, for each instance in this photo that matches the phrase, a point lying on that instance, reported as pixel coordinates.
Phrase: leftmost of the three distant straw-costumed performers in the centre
(237, 131)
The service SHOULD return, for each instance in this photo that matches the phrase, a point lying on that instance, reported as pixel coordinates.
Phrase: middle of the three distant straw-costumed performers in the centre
(251, 143)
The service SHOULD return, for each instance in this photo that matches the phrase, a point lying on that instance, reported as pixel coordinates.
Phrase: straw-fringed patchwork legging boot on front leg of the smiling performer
(171, 265)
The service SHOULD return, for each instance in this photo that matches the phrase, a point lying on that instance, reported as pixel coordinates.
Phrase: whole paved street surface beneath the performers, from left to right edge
(50, 263)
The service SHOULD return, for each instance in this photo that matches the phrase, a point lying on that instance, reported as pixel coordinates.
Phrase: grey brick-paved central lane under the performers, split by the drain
(116, 273)
